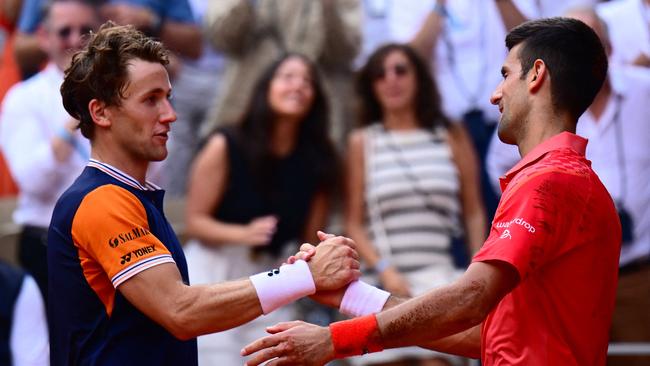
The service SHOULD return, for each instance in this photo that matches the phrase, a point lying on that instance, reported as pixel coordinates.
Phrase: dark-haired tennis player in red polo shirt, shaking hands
(541, 290)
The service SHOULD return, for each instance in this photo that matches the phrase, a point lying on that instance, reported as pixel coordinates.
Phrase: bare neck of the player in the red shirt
(536, 133)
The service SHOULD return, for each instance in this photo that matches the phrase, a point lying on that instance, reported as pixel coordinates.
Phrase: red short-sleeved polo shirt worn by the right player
(557, 226)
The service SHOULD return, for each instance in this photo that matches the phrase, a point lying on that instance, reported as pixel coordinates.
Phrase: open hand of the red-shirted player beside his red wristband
(293, 343)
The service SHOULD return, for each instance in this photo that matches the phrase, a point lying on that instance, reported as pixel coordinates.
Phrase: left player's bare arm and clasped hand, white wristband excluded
(190, 311)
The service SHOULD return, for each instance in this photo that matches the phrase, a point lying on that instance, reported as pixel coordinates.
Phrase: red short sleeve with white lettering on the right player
(531, 225)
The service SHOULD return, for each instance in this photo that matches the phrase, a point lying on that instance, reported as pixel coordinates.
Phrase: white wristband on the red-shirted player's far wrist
(362, 299)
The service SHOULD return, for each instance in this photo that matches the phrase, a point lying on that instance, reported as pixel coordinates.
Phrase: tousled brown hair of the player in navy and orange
(99, 71)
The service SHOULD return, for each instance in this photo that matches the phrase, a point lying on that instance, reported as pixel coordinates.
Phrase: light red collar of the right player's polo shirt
(559, 141)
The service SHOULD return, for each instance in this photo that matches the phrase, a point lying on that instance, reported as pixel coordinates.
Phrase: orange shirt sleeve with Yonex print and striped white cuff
(111, 228)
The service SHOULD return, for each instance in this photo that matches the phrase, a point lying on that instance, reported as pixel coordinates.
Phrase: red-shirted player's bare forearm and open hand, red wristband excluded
(442, 319)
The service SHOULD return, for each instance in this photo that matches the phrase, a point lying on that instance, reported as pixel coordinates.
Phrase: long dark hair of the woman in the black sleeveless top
(253, 132)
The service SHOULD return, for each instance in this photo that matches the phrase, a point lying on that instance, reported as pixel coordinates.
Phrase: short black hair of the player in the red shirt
(573, 53)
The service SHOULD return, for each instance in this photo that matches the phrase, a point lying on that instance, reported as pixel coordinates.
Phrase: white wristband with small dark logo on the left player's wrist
(282, 286)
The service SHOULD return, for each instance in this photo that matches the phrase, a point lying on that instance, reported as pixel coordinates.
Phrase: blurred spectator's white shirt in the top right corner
(628, 23)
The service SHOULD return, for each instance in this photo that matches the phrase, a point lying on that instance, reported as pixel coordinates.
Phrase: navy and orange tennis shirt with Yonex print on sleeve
(105, 229)
